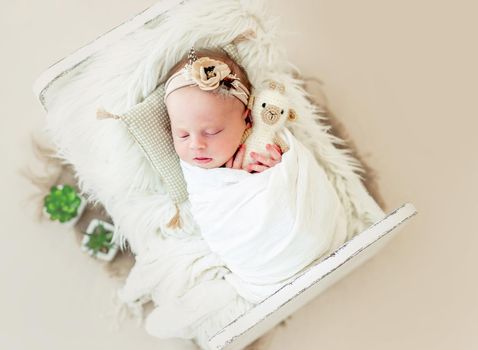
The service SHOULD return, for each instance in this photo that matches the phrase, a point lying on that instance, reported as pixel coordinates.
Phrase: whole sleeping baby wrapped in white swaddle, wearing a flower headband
(268, 218)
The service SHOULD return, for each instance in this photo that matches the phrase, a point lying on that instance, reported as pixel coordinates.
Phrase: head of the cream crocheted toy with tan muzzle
(270, 109)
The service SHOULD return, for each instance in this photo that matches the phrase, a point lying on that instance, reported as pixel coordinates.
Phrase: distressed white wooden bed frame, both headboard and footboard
(264, 316)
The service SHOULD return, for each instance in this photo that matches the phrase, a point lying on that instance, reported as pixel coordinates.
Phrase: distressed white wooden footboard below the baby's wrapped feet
(264, 316)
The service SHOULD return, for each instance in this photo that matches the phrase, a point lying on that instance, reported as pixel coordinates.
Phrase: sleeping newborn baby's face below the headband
(207, 128)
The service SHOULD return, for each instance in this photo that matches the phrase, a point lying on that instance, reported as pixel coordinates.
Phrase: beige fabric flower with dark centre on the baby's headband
(209, 73)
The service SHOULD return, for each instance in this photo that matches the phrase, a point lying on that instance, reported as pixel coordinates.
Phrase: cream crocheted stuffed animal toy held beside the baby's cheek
(269, 112)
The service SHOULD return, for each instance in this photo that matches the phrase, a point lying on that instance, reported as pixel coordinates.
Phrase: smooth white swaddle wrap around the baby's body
(267, 226)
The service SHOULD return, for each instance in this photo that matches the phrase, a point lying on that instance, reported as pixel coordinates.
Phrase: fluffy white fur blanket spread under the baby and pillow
(112, 169)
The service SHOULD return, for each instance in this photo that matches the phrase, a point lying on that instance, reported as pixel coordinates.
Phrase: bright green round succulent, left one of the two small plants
(62, 203)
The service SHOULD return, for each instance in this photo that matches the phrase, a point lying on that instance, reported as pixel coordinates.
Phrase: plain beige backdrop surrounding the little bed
(401, 78)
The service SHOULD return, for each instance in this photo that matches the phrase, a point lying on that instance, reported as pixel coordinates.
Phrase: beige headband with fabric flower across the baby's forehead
(208, 74)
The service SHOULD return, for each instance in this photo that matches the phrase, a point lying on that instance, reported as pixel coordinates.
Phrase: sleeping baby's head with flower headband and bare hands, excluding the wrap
(208, 126)
